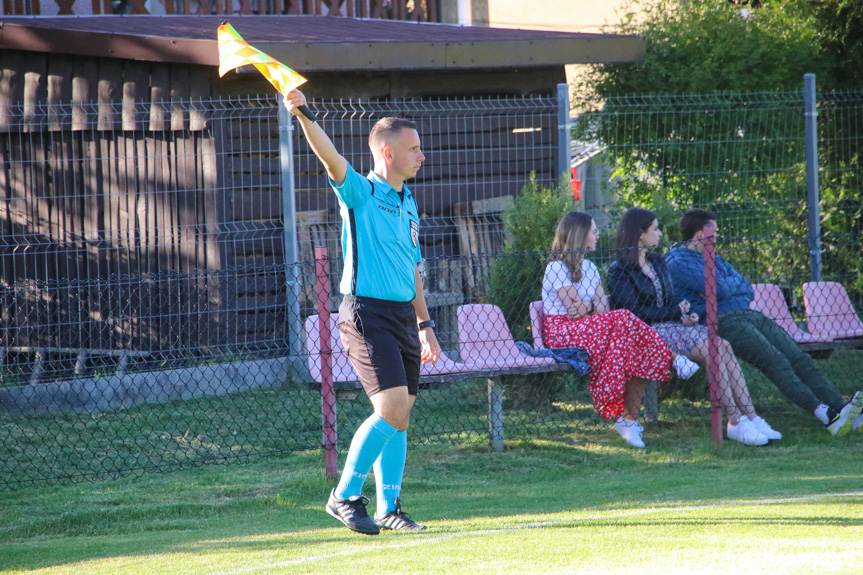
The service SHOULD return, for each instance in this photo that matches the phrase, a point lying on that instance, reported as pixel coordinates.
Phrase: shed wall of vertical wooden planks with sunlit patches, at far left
(109, 220)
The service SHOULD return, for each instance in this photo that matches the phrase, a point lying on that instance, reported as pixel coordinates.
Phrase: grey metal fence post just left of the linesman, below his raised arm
(297, 361)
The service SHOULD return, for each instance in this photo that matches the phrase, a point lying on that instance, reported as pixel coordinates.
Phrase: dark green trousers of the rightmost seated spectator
(757, 340)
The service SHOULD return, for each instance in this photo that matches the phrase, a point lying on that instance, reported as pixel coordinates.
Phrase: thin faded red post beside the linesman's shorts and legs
(328, 398)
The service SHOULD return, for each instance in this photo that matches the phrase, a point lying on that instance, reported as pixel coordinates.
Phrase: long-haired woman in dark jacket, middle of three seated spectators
(640, 282)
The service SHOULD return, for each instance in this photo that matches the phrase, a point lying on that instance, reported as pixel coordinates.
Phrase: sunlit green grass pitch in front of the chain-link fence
(581, 504)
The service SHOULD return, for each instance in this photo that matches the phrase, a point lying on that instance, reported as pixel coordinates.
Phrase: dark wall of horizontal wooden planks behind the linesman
(484, 156)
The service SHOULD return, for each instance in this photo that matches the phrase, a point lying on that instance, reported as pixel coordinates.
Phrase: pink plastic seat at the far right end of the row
(829, 310)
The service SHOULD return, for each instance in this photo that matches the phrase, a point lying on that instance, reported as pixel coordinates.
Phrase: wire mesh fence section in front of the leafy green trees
(744, 157)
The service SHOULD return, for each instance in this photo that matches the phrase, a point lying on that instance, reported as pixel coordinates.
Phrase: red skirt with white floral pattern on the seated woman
(621, 348)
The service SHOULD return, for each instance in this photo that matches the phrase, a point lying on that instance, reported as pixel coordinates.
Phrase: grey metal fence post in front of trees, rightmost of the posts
(812, 195)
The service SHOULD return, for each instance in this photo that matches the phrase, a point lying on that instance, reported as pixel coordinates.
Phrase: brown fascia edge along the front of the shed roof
(336, 56)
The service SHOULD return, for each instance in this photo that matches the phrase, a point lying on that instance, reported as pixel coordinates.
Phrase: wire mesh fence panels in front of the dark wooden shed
(157, 235)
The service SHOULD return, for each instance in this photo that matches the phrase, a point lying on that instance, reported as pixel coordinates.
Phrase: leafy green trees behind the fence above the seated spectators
(705, 119)
